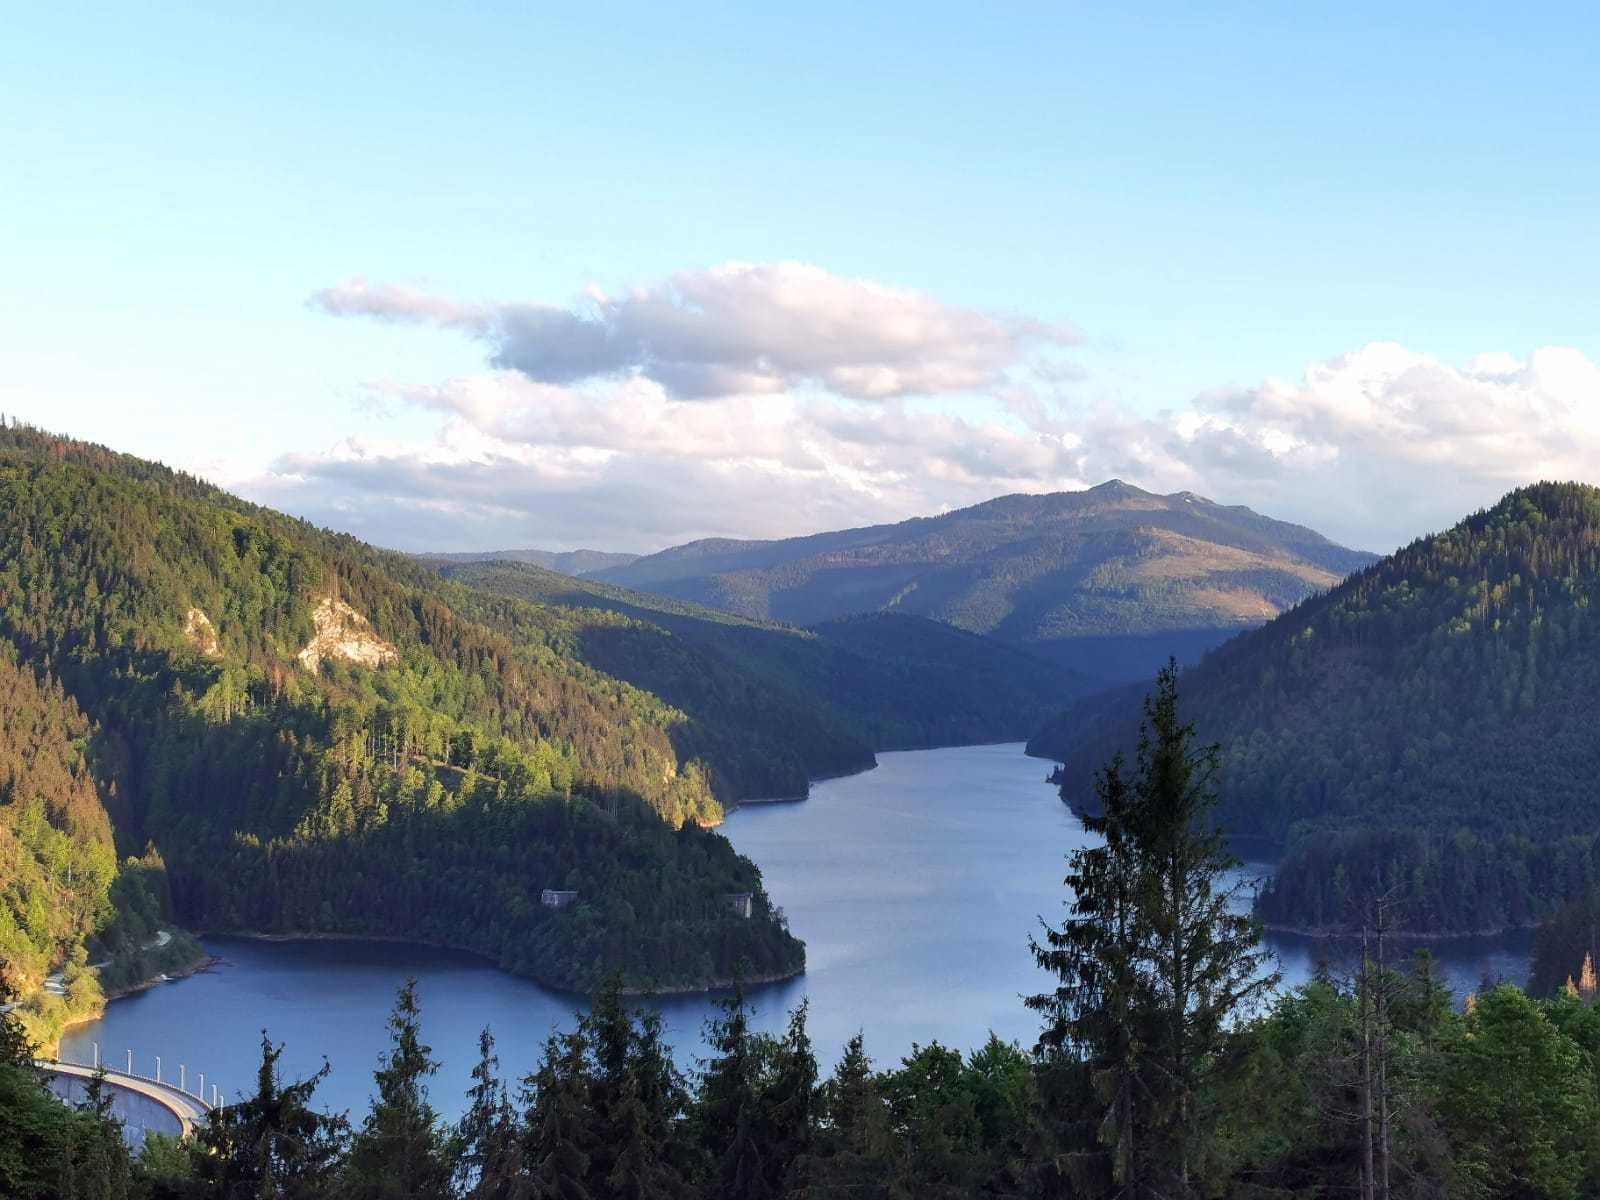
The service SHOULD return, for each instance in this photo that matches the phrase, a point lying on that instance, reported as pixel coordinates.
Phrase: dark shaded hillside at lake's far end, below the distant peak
(762, 697)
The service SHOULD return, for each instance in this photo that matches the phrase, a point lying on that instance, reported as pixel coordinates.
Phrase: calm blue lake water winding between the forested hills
(914, 886)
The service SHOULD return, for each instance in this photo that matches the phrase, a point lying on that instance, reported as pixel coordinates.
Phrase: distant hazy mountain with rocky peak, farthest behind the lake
(1108, 580)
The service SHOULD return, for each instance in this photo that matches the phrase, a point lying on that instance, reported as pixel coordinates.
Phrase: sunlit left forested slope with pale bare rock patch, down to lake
(319, 740)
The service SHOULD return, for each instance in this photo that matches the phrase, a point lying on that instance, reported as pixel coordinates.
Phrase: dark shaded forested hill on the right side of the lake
(1428, 729)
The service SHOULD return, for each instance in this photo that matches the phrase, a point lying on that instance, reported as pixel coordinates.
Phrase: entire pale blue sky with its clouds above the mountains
(610, 276)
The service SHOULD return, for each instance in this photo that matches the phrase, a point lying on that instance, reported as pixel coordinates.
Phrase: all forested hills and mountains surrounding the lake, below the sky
(223, 719)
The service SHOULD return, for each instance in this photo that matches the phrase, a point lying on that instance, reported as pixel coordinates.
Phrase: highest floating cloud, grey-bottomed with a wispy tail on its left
(737, 330)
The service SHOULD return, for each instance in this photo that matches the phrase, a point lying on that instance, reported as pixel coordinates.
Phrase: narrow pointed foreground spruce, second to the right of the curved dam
(401, 1151)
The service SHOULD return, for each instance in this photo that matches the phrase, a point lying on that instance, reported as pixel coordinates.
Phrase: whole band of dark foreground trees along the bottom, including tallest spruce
(1164, 1070)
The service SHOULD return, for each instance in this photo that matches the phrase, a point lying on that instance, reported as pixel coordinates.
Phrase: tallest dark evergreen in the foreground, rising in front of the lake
(1153, 964)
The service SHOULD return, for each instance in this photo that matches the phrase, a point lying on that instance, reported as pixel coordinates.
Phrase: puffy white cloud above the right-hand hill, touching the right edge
(1378, 446)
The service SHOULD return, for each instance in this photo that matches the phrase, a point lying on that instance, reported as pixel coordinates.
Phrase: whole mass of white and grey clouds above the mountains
(783, 401)
